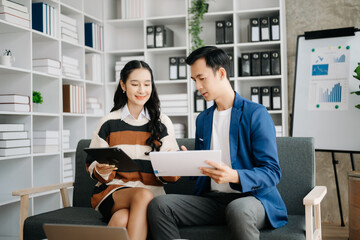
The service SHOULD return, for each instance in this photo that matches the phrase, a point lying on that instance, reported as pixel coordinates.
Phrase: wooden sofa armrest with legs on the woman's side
(24, 199)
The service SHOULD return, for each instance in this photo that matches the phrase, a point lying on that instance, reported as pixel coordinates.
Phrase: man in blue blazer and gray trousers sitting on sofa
(241, 192)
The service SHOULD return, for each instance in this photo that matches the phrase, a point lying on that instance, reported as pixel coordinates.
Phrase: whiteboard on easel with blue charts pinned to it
(323, 106)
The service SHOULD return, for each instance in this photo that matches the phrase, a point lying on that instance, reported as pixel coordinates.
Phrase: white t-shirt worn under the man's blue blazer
(220, 141)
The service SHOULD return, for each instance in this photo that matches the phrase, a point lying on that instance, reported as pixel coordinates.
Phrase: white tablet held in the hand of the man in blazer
(183, 163)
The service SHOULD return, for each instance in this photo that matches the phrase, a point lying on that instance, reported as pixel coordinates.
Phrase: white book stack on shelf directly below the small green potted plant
(45, 141)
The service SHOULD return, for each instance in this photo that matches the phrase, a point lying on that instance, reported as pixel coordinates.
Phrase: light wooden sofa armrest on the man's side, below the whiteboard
(313, 200)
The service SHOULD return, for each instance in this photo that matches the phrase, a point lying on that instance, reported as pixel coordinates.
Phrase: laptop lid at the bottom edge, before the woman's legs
(84, 232)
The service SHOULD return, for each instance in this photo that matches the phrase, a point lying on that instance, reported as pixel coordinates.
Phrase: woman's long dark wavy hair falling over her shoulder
(152, 105)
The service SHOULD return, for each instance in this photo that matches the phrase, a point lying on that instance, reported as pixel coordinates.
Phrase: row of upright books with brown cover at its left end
(73, 98)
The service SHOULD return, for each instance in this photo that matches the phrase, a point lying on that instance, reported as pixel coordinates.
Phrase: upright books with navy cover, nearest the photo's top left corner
(44, 18)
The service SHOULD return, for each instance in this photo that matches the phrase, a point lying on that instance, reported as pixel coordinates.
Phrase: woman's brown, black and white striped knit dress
(130, 135)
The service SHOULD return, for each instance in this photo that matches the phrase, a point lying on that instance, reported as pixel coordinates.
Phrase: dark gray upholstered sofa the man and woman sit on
(296, 157)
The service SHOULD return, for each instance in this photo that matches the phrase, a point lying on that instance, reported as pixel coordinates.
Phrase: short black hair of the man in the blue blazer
(215, 58)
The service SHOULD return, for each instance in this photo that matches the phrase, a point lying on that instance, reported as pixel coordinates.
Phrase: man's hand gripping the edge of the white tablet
(221, 174)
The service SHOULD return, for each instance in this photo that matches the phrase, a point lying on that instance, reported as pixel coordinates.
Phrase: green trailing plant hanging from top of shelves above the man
(197, 10)
